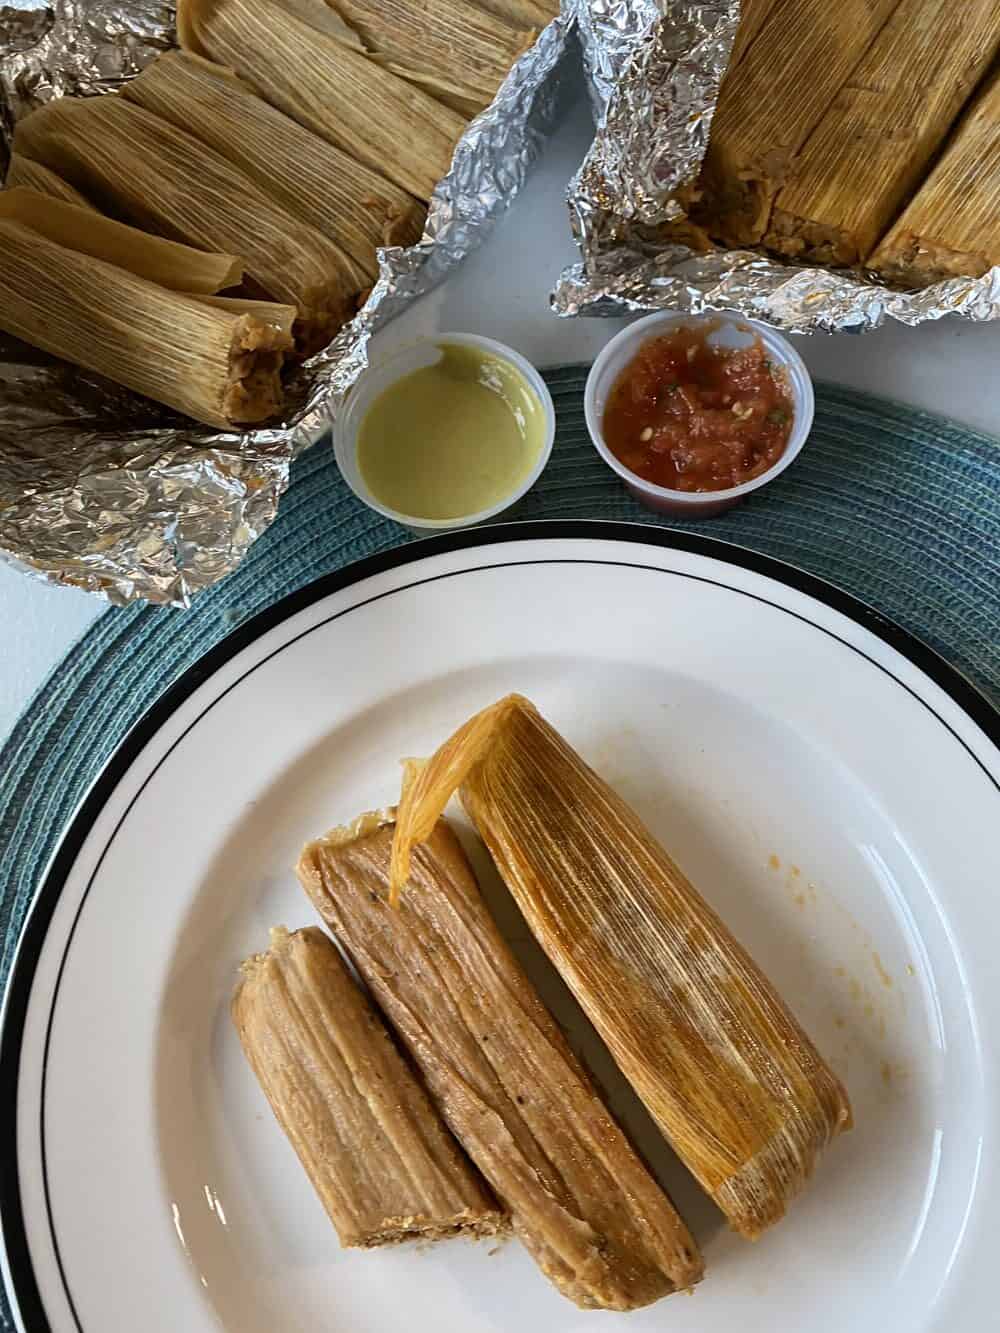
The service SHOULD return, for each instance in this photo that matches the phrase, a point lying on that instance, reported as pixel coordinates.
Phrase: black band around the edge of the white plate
(23, 1291)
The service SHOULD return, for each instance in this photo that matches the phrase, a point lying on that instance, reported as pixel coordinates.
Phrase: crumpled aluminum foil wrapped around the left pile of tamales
(103, 490)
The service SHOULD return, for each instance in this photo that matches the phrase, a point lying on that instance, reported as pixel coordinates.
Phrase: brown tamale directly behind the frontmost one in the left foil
(165, 181)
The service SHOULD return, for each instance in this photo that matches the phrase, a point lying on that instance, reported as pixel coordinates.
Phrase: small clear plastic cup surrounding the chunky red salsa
(733, 331)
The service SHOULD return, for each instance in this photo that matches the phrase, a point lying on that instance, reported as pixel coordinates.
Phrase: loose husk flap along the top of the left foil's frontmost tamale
(182, 269)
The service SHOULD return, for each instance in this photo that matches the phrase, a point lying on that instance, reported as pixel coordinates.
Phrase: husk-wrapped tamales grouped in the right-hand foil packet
(830, 119)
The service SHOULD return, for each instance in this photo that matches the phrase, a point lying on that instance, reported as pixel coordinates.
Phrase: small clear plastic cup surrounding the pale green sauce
(414, 358)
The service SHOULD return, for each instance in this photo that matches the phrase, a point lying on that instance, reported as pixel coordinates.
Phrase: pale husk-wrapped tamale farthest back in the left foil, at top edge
(459, 53)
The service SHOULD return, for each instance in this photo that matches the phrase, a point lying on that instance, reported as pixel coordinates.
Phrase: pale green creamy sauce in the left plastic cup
(451, 439)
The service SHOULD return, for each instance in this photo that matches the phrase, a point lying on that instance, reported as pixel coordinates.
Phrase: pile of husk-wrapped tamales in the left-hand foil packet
(295, 139)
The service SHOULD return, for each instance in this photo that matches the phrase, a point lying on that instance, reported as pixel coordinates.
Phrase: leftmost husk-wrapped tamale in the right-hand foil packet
(773, 101)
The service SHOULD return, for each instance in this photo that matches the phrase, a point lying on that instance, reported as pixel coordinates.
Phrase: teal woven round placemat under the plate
(897, 507)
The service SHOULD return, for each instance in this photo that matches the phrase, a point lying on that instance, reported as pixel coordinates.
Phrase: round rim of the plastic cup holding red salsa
(803, 393)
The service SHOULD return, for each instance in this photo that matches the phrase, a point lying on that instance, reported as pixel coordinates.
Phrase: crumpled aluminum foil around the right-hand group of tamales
(655, 73)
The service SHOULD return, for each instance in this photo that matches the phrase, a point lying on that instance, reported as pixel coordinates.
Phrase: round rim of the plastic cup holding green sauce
(346, 441)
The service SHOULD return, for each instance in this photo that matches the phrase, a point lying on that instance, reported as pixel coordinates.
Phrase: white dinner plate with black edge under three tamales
(831, 787)
